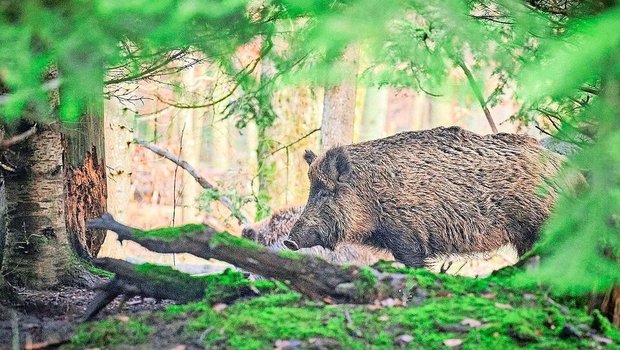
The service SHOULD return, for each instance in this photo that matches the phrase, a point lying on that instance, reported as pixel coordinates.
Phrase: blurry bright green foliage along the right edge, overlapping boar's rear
(581, 240)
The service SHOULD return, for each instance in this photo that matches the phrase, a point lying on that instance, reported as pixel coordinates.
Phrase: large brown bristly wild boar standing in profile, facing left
(428, 193)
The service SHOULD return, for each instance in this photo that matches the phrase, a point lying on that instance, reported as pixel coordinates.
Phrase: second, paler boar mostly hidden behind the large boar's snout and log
(273, 231)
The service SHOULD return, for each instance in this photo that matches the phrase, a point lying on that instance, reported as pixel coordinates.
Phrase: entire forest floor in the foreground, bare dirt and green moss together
(442, 311)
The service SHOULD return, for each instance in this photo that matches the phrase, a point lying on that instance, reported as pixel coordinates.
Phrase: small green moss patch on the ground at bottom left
(110, 333)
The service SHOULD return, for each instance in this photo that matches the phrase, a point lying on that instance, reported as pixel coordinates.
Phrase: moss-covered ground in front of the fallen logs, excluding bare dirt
(510, 316)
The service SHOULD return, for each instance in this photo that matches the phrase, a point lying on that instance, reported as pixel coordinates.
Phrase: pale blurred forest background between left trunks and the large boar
(153, 192)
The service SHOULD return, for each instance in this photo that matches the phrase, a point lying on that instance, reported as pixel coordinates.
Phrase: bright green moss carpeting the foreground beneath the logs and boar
(511, 318)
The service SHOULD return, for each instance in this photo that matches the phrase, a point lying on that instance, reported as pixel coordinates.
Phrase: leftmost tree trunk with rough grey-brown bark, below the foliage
(37, 252)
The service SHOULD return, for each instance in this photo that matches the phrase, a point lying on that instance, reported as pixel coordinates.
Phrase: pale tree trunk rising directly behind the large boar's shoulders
(339, 105)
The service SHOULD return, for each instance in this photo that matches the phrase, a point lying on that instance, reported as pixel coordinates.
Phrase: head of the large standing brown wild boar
(334, 205)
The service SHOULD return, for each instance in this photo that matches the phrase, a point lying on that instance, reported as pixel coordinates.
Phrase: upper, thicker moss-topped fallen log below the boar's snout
(309, 275)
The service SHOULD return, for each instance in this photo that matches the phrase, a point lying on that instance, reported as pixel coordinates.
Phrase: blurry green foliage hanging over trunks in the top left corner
(81, 38)
